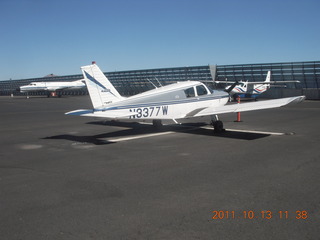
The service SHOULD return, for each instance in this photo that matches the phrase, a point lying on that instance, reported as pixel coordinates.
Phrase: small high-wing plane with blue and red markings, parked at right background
(252, 89)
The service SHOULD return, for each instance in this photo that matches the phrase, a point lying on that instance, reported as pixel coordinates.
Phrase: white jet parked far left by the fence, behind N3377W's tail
(52, 87)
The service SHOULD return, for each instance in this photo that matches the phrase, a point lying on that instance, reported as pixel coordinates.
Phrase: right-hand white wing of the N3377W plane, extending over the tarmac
(252, 106)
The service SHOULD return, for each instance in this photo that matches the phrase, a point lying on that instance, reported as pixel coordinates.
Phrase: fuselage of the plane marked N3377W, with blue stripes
(174, 101)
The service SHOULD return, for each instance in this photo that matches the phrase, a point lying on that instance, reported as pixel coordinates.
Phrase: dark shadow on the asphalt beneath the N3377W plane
(136, 129)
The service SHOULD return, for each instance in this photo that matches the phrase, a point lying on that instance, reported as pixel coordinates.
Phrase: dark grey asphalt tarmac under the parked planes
(68, 177)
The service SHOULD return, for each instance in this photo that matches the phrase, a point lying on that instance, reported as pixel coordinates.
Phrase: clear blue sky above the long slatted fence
(42, 37)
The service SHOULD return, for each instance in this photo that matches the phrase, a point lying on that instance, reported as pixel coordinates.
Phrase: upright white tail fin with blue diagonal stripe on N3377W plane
(101, 91)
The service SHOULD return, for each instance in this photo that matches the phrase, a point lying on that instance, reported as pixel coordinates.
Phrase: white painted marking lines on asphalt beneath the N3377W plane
(170, 132)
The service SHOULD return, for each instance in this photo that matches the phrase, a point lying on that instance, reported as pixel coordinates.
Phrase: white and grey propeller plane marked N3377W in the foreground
(174, 102)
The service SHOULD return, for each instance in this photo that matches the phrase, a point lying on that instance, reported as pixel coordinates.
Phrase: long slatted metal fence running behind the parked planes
(136, 81)
